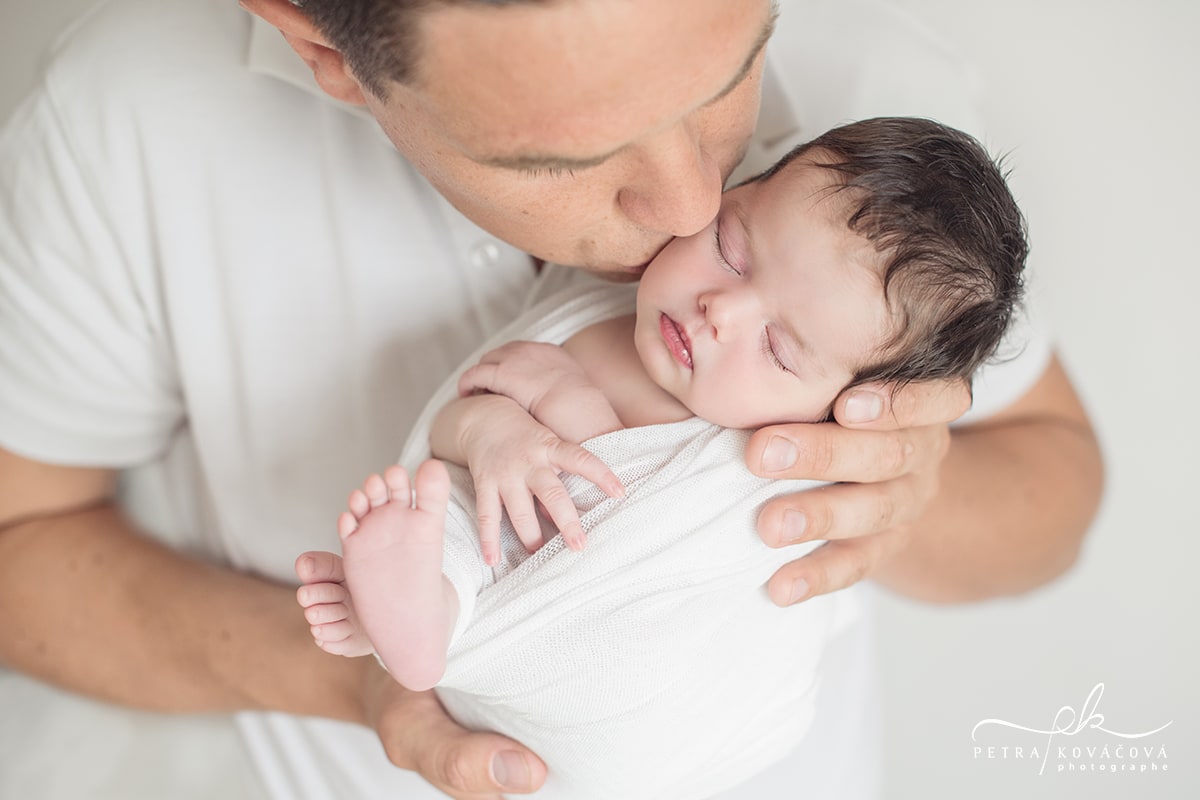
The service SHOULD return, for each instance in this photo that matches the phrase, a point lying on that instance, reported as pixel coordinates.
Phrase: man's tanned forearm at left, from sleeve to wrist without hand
(95, 607)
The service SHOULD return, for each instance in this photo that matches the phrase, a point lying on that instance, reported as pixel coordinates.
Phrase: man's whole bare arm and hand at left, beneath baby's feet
(94, 606)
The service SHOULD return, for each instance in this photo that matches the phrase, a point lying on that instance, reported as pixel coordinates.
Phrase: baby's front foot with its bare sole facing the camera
(392, 543)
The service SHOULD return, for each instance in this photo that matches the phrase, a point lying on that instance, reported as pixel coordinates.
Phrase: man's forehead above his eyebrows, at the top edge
(578, 80)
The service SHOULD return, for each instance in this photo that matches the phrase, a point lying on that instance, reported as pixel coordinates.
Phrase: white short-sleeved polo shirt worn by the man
(232, 287)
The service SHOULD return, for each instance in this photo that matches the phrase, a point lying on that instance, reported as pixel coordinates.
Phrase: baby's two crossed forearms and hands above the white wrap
(515, 458)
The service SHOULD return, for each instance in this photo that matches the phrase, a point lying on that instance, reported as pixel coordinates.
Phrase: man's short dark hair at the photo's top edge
(380, 39)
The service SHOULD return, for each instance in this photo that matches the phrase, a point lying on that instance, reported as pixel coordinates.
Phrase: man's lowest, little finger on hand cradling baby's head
(833, 567)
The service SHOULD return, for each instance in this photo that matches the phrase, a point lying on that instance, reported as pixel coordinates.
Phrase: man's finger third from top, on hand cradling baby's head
(843, 512)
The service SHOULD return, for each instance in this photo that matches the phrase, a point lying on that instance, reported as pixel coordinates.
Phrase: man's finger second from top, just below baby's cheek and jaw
(831, 453)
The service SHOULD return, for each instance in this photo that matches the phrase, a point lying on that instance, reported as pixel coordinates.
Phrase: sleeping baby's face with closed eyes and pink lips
(765, 316)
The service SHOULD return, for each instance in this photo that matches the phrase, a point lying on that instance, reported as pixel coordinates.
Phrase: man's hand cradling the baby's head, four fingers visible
(885, 452)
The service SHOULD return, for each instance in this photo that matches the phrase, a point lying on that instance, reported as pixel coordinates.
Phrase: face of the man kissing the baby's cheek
(587, 133)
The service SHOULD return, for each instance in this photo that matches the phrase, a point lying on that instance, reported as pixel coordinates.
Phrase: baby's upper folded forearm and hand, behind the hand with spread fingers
(549, 383)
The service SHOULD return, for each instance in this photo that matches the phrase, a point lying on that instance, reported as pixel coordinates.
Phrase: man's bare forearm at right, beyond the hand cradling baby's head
(1017, 498)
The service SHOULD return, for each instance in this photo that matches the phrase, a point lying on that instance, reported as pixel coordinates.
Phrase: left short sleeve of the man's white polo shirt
(85, 359)
